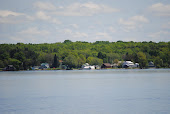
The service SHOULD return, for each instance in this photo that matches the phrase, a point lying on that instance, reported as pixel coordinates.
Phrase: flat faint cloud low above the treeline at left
(34, 31)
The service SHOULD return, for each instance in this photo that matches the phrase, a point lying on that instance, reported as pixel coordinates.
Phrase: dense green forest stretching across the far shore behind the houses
(74, 54)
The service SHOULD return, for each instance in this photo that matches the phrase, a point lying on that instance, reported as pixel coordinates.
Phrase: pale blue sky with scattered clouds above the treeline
(51, 21)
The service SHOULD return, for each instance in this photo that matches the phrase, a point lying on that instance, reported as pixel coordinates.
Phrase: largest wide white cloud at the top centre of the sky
(85, 9)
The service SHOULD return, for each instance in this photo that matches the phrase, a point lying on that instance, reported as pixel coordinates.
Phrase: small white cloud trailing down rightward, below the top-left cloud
(43, 16)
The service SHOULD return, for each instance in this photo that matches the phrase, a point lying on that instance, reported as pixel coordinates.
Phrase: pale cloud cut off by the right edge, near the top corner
(160, 9)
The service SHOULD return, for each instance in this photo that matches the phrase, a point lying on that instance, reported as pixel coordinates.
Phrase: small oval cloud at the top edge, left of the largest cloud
(44, 6)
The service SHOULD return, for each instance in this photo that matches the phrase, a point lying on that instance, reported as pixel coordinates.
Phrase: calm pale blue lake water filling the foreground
(86, 92)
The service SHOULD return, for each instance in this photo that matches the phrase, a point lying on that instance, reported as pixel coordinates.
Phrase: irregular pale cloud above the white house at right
(133, 22)
